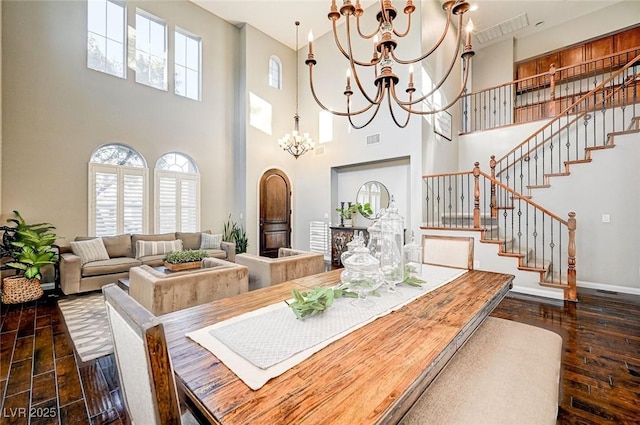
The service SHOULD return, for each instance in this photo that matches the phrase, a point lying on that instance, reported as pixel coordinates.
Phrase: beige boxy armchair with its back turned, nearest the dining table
(161, 292)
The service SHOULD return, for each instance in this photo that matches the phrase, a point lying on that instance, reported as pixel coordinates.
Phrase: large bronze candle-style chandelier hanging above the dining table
(384, 57)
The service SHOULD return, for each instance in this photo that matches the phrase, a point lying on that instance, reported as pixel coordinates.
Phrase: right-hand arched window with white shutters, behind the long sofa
(177, 194)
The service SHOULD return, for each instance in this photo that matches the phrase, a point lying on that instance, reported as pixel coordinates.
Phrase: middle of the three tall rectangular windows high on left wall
(151, 50)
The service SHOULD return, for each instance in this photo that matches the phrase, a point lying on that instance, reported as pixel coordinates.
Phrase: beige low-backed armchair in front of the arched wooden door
(290, 264)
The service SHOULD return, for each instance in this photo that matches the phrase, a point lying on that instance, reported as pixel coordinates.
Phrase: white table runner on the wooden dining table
(266, 342)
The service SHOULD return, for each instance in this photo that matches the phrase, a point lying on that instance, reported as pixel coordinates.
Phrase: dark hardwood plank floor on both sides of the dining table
(42, 382)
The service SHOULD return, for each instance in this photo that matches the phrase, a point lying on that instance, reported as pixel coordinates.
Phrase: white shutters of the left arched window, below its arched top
(117, 200)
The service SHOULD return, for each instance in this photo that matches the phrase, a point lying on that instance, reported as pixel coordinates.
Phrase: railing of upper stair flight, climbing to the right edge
(568, 138)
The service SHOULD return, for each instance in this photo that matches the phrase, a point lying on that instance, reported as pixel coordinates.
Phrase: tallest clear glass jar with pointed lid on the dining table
(392, 244)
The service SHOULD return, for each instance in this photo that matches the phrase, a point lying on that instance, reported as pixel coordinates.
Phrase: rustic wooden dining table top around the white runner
(373, 375)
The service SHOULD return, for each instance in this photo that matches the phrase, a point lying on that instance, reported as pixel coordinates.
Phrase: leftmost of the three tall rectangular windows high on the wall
(105, 36)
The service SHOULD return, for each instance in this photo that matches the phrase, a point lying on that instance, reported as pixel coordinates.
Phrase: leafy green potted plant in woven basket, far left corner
(25, 248)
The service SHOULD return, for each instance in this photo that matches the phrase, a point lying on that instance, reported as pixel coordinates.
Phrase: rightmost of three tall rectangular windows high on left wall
(187, 66)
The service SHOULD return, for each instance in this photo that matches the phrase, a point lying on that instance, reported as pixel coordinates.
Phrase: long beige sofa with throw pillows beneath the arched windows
(77, 277)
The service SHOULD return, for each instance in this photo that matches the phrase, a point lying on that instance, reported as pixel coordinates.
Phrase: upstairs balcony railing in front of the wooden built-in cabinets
(541, 96)
